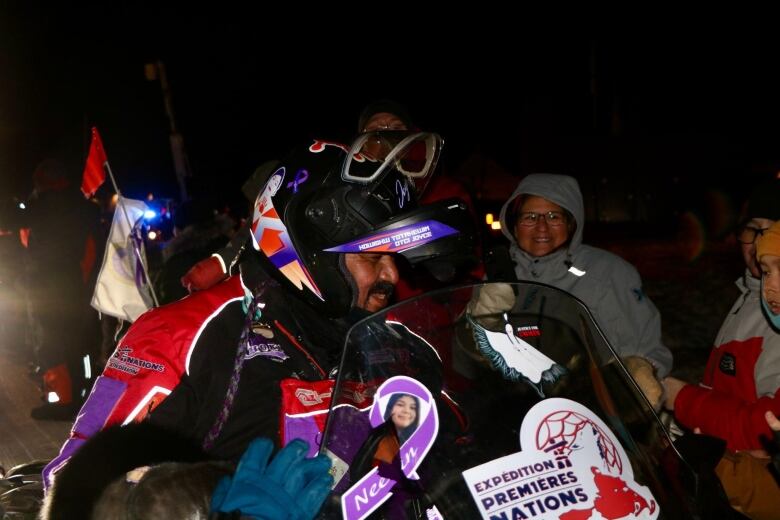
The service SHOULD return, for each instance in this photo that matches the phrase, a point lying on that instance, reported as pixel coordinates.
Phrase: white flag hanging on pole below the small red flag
(122, 289)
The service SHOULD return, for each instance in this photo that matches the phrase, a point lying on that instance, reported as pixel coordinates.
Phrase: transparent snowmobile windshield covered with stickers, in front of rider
(439, 412)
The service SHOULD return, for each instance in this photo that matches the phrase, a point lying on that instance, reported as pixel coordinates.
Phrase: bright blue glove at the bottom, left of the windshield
(290, 487)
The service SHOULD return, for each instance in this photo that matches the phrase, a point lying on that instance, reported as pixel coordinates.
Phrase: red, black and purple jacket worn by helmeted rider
(175, 362)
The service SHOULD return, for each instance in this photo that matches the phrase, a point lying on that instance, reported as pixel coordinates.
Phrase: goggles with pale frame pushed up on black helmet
(374, 154)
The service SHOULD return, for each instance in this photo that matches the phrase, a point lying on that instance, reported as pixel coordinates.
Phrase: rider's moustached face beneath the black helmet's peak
(375, 276)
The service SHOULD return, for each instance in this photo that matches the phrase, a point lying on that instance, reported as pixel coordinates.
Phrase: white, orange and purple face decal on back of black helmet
(270, 236)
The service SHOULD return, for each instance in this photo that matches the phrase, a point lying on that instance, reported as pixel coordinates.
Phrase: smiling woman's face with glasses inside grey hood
(541, 238)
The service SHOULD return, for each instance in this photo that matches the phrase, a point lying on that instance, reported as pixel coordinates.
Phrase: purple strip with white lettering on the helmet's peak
(399, 239)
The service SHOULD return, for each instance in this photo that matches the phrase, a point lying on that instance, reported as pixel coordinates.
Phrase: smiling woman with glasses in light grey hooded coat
(544, 220)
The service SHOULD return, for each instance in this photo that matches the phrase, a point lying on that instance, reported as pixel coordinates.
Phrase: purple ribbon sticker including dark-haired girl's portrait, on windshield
(404, 416)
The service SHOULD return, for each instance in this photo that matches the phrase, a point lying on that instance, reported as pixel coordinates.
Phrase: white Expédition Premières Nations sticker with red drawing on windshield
(571, 468)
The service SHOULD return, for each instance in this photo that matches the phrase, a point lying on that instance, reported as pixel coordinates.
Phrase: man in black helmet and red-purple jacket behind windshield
(223, 365)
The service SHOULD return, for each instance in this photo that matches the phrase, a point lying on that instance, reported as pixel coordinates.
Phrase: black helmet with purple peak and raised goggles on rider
(328, 199)
